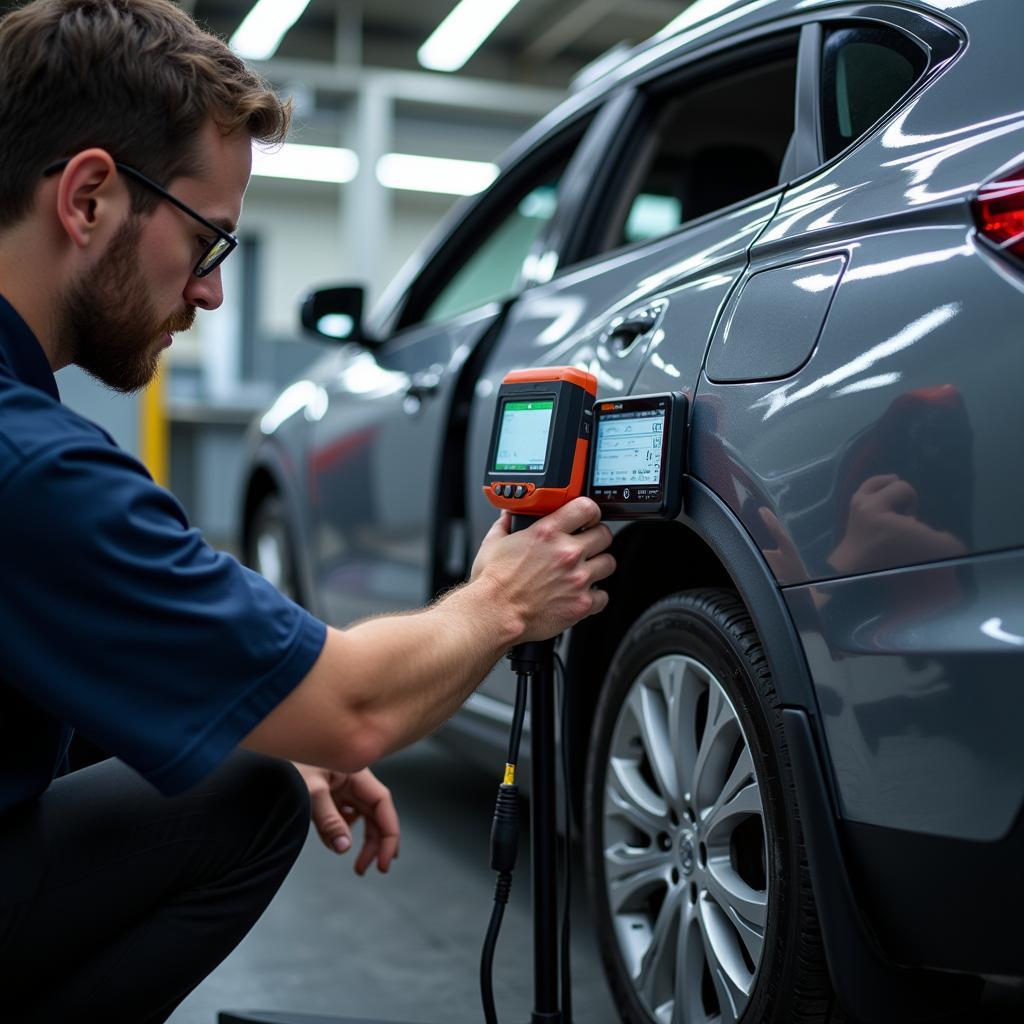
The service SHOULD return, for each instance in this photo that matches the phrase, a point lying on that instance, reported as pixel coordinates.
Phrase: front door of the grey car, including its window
(385, 411)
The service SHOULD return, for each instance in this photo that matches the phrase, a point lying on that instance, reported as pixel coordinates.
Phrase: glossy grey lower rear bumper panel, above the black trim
(919, 678)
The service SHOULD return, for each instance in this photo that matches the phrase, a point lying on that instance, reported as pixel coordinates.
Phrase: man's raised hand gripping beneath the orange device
(547, 573)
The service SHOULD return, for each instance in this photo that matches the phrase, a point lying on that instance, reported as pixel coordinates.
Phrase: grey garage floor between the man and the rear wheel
(404, 947)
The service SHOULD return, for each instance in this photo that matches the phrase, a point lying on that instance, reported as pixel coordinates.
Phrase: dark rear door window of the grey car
(708, 144)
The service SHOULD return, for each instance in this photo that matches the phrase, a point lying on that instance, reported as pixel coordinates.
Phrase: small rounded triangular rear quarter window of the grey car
(866, 70)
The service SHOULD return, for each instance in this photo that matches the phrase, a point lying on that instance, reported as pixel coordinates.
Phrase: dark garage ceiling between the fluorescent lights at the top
(543, 42)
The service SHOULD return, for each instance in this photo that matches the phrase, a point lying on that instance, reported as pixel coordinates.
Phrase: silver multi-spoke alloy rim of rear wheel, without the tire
(685, 846)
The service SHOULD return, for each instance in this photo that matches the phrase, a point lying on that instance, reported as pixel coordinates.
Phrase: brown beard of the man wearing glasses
(109, 326)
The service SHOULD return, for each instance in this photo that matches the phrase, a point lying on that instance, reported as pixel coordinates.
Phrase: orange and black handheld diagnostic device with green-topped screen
(541, 440)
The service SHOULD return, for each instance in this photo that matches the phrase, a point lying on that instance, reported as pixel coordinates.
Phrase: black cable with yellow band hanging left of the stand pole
(504, 847)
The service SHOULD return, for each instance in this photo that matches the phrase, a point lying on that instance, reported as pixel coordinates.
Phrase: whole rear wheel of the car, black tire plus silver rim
(679, 639)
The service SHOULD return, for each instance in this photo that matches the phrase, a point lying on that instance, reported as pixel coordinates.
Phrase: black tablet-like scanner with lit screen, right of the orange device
(636, 460)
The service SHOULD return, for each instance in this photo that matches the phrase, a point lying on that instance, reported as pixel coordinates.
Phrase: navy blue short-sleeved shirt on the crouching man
(116, 618)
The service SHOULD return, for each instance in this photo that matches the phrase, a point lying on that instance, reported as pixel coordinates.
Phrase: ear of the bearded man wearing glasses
(92, 198)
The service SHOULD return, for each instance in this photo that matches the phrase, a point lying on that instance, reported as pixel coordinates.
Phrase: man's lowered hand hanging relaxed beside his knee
(338, 800)
